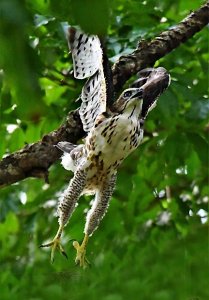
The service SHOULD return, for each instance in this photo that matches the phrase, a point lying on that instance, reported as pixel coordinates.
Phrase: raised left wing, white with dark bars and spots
(87, 63)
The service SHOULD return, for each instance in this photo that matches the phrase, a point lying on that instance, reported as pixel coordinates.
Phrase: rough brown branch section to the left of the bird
(35, 159)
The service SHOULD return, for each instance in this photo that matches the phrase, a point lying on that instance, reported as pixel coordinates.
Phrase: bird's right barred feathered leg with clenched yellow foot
(94, 216)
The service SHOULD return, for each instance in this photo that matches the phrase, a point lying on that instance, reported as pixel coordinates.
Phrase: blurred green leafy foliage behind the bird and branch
(154, 241)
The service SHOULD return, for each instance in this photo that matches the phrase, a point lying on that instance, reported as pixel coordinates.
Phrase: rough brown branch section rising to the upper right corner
(148, 53)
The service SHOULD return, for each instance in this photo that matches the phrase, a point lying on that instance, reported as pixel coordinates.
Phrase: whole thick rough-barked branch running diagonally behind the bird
(35, 159)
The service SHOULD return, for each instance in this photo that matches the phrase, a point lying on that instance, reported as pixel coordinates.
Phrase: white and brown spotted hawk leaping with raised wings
(112, 134)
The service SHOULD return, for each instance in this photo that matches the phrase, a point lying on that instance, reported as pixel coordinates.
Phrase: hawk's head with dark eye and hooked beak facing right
(128, 99)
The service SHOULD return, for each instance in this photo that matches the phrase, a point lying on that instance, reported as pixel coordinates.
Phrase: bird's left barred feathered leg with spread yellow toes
(66, 207)
